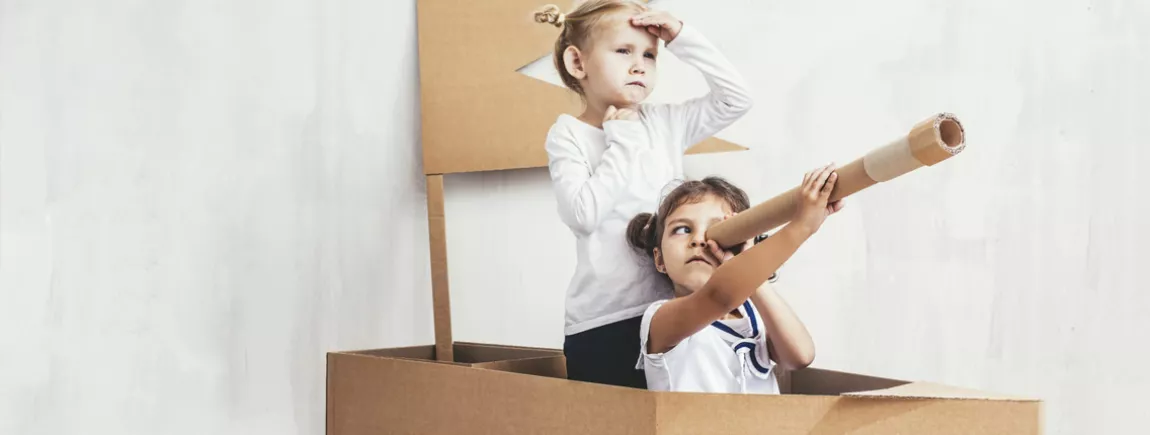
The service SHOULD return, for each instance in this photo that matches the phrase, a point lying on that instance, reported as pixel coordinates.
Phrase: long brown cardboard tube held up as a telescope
(930, 142)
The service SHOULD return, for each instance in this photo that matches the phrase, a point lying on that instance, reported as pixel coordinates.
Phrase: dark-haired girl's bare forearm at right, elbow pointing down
(792, 344)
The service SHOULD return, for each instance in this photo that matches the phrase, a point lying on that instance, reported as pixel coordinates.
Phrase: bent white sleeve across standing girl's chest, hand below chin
(587, 194)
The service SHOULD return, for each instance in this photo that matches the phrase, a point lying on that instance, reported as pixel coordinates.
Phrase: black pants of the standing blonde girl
(607, 355)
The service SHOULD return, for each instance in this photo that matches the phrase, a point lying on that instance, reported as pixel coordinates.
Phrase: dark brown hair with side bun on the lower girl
(645, 233)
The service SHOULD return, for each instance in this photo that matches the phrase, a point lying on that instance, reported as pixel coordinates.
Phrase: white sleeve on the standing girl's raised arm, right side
(727, 101)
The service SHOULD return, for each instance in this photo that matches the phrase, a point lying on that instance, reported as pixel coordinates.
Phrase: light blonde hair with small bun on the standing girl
(577, 28)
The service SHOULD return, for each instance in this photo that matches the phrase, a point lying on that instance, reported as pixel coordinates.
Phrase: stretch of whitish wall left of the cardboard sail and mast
(200, 200)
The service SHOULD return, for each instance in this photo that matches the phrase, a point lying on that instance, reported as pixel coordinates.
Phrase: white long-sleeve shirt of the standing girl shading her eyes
(604, 178)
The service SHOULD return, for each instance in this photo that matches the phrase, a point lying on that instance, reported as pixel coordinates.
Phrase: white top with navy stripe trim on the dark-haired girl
(730, 356)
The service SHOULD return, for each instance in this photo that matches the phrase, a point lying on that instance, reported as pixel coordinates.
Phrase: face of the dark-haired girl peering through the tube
(684, 254)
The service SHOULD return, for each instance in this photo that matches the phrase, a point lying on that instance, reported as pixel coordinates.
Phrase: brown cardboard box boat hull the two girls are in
(523, 391)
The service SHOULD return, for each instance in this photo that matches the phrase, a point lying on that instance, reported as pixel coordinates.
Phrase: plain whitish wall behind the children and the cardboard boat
(200, 200)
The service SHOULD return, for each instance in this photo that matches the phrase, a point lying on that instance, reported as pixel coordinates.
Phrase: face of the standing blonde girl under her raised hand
(620, 67)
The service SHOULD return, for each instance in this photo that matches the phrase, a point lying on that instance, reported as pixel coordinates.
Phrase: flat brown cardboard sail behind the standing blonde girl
(480, 113)
